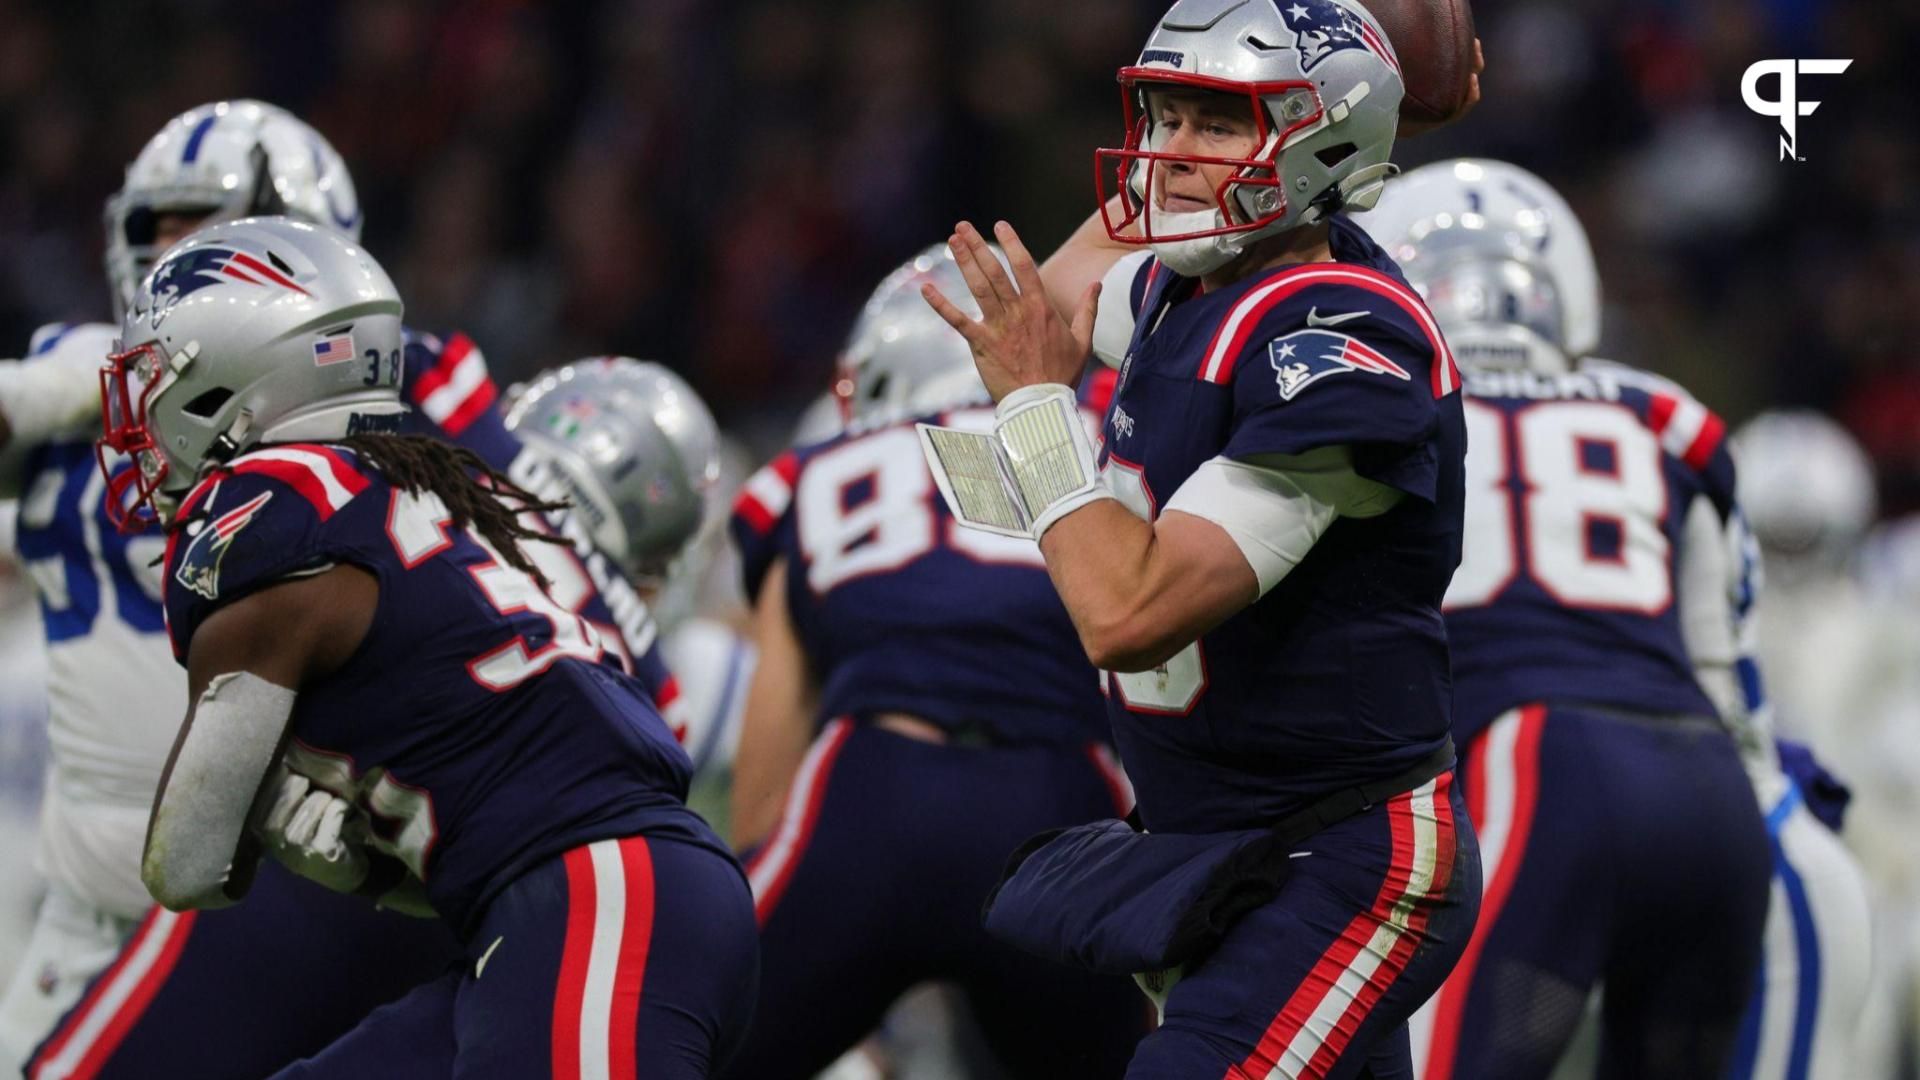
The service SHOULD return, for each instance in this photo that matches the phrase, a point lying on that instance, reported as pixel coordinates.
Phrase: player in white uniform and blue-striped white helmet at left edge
(112, 685)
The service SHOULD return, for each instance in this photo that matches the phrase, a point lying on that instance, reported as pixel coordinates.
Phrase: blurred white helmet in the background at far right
(1806, 485)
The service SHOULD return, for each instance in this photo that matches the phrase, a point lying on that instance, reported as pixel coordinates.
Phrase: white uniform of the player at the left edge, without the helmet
(108, 683)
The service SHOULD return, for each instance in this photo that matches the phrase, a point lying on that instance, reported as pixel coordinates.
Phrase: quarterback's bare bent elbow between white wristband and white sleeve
(1138, 591)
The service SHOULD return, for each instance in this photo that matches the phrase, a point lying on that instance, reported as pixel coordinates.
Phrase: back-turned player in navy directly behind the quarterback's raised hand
(923, 708)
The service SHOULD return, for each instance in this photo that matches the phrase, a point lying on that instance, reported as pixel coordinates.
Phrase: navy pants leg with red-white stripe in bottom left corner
(239, 993)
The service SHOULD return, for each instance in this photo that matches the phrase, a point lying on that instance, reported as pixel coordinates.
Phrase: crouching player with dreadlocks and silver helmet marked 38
(320, 574)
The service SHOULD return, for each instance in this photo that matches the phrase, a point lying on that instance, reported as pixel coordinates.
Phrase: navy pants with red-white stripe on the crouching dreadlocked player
(617, 960)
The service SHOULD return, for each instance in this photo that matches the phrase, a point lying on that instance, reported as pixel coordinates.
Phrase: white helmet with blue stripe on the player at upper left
(226, 160)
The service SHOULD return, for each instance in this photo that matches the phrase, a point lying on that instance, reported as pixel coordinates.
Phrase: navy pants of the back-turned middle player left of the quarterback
(875, 881)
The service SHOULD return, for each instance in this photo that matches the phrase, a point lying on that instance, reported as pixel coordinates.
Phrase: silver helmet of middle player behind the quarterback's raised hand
(901, 358)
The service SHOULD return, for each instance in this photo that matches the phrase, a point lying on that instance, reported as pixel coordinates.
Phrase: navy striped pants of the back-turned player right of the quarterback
(1620, 850)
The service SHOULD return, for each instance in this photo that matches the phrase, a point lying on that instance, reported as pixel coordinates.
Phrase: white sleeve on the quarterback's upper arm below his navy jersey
(1278, 506)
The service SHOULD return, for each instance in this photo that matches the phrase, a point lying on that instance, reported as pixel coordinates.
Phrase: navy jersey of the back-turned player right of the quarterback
(1579, 489)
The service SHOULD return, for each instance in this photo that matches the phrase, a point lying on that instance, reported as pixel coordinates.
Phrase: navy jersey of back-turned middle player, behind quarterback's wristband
(903, 610)
